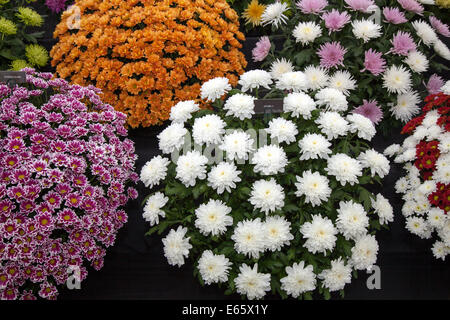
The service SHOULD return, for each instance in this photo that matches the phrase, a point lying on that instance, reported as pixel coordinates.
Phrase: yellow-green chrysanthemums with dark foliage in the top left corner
(18, 47)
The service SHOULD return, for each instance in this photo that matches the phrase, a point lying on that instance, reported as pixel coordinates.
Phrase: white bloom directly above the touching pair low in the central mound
(267, 195)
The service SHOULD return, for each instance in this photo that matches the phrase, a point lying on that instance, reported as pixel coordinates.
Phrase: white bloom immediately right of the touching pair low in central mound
(320, 234)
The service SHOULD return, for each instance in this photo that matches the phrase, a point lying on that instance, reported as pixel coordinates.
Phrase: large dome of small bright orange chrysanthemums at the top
(146, 56)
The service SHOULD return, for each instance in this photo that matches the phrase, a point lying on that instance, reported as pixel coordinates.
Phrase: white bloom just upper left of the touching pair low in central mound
(213, 218)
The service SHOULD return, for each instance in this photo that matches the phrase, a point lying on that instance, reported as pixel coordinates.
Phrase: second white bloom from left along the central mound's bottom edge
(213, 268)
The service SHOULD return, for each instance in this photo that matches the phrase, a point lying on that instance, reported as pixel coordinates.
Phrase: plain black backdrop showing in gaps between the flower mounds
(135, 268)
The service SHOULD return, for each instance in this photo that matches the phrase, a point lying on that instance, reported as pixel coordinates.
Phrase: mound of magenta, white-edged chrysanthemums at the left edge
(66, 165)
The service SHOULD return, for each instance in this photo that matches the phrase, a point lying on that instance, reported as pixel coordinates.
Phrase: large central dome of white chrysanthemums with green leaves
(293, 216)
